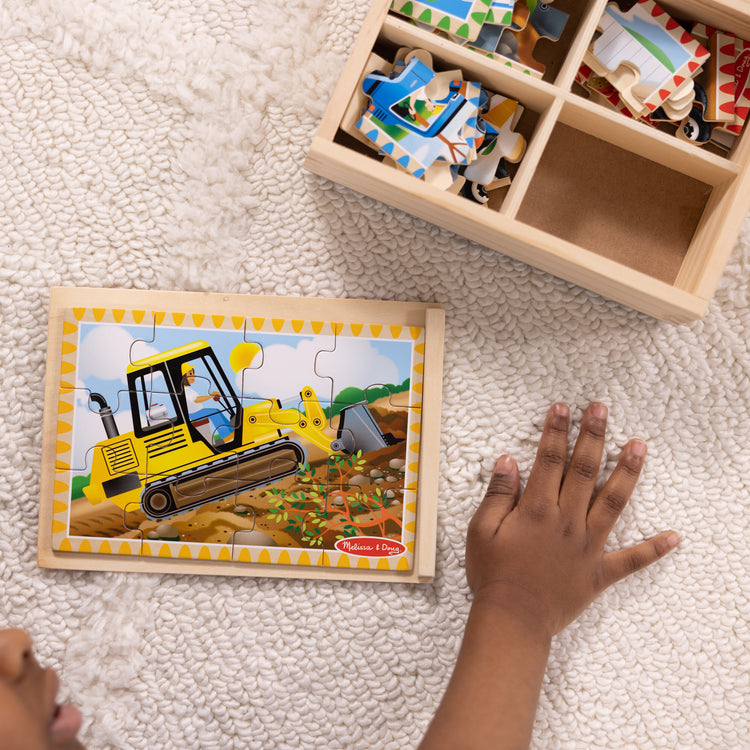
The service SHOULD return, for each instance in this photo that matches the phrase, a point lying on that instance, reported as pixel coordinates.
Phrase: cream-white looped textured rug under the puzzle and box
(158, 144)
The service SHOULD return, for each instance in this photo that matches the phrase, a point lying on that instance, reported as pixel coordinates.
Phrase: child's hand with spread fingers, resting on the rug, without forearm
(541, 556)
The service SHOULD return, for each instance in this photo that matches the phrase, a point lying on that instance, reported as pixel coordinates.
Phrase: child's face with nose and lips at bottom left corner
(30, 717)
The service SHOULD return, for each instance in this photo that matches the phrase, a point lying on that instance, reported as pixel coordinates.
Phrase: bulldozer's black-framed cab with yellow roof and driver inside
(185, 386)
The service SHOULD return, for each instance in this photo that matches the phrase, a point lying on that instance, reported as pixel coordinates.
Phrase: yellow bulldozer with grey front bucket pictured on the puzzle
(194, 442)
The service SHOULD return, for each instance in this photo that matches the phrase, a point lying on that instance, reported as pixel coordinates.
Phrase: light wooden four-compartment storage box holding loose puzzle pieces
(611, 204)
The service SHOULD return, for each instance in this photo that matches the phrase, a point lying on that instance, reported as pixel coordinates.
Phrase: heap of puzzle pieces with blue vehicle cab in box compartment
(437, 126)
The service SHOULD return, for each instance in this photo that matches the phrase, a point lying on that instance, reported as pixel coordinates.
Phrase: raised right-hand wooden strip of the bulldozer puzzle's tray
(429, 452)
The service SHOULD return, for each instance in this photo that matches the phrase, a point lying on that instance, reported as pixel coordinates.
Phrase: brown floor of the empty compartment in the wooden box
(615, 203)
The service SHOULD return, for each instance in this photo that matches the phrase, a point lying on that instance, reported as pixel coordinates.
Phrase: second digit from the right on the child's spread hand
(614, 496)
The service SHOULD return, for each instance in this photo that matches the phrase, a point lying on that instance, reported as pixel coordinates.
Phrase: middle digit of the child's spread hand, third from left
(580, 477)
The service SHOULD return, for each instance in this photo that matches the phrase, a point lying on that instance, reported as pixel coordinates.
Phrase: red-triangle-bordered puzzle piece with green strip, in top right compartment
(645, 53)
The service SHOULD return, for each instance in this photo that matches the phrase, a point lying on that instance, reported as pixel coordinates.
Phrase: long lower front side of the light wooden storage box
(501, 233)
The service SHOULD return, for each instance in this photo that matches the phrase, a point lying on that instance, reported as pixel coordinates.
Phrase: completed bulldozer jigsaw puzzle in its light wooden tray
(241, 435)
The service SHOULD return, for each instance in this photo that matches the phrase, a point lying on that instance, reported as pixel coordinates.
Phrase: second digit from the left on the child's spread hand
(543, 487)
